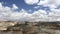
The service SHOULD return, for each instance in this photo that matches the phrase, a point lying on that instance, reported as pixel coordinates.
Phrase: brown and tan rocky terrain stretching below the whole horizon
(12, 27)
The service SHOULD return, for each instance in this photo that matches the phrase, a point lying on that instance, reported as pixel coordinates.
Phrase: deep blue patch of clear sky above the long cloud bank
(22, 5)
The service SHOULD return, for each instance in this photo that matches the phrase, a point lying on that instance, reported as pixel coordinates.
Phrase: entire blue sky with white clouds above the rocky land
(29, 10)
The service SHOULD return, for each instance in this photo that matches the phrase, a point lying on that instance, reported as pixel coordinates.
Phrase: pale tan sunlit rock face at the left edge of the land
(5, 24)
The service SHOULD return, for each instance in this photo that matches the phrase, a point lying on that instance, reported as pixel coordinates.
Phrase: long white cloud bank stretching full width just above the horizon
(8, 13)
